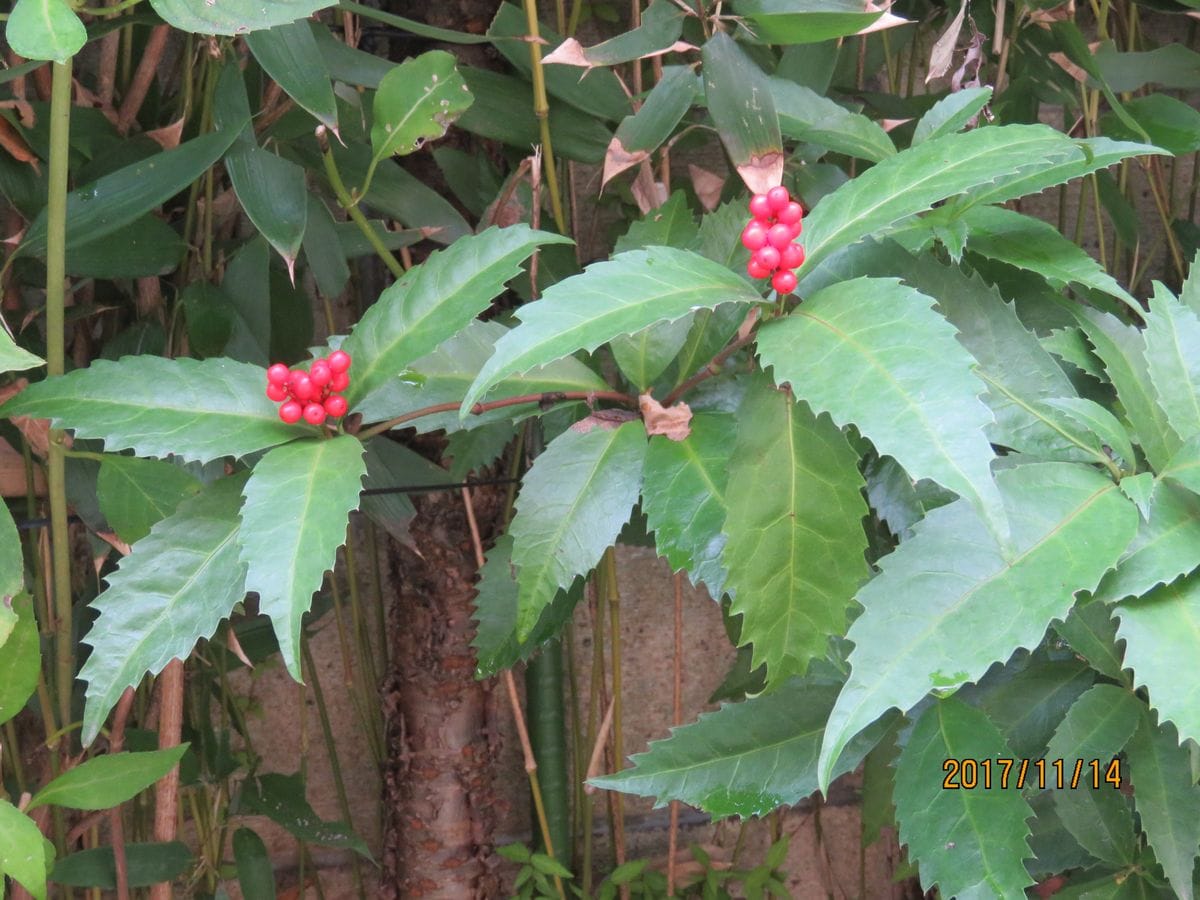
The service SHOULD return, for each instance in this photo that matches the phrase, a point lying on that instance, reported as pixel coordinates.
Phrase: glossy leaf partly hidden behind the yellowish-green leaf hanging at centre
(683, 497)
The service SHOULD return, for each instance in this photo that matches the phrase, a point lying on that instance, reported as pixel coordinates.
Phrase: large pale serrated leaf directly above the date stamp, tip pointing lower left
(929, 619)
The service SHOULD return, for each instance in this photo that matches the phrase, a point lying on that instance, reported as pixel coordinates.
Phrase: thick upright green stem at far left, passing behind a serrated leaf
(56, 365)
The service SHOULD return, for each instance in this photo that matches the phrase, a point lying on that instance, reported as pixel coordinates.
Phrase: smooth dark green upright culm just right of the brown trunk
(548, 736)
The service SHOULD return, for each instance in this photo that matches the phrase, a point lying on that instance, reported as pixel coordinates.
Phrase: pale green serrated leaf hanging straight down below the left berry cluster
(295, 520)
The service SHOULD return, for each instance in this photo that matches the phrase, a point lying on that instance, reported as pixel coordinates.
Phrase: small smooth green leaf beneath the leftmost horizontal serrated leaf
(136, 494)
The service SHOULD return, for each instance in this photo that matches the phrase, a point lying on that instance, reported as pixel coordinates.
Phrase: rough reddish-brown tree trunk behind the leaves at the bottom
(440, 803)
